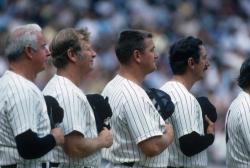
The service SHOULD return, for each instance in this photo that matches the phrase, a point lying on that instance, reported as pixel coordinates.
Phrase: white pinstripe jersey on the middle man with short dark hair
(134, 119)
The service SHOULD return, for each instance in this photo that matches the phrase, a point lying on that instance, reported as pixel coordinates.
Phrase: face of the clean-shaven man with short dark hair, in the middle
(149, 56)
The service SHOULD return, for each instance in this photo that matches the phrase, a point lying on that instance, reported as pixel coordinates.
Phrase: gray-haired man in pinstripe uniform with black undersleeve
(25, 133)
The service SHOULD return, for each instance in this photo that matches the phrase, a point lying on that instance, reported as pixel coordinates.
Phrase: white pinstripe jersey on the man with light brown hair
(78, 116)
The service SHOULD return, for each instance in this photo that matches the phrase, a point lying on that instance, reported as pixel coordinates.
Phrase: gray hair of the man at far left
(19, 38)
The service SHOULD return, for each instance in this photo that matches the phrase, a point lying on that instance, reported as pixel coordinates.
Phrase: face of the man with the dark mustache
(203, 64)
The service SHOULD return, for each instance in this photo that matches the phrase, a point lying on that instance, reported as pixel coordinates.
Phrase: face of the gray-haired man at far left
(41, 54)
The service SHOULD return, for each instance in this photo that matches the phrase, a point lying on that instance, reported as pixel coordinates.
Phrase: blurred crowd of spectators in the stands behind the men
(224, 27)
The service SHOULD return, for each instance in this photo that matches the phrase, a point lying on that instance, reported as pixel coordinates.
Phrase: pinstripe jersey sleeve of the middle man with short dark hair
(142, 118)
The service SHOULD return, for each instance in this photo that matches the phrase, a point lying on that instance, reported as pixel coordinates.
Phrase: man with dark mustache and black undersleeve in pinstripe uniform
(188, 61)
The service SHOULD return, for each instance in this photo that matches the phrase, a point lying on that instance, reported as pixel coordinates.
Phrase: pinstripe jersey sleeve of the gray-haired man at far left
(23, 109)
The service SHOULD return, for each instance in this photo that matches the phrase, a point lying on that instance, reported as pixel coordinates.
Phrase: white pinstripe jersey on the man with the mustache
(186, 118)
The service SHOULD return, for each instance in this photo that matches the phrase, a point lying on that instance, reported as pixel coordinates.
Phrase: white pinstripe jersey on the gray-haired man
(22, 107)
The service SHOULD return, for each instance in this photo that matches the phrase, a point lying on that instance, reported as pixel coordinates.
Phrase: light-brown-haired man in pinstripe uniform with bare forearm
(73, 57)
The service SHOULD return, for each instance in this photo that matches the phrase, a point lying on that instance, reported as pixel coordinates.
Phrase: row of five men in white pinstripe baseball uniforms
(139, 136)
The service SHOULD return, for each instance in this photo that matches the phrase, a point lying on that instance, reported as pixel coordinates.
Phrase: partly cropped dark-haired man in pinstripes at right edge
(237, 123)
